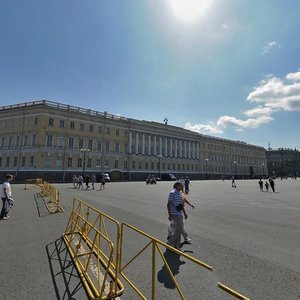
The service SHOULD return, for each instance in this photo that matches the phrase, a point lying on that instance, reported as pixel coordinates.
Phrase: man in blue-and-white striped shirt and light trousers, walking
(176, 214)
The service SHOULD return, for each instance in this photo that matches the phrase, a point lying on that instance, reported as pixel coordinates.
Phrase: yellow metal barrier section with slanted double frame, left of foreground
(87, 239)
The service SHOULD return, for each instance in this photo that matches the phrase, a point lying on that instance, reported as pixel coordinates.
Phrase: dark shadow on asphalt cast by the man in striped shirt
(174, 262)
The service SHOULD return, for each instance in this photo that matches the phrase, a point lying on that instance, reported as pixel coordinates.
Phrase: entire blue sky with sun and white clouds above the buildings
(226, 68)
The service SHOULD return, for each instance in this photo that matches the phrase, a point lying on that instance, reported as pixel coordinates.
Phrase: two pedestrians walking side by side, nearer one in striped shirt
(176, 211)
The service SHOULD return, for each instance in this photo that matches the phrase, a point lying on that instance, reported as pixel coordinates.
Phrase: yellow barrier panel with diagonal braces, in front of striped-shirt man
(154, 244)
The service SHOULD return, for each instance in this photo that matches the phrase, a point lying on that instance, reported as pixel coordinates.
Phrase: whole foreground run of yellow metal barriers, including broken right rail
(96, 241)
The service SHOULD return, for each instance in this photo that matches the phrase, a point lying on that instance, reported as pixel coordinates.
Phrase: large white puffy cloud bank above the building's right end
(272, 95)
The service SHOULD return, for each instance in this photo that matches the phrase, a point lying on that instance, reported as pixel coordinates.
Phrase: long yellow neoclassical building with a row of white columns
(54, 141)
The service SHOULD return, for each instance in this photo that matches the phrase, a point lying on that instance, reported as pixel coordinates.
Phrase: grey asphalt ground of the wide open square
(250, 238)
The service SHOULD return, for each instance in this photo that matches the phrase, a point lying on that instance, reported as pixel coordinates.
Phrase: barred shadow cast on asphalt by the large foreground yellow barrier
(66, 280)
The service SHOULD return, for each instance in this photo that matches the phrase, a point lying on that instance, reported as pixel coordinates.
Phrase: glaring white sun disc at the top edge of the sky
(189, 10)
